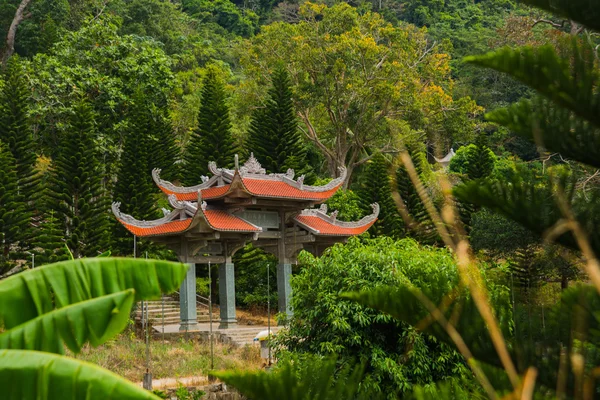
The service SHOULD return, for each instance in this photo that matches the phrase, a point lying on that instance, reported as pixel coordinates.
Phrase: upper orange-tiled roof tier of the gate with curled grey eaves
(252, 180)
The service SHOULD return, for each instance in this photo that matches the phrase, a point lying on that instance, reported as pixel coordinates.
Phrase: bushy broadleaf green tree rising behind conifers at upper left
(108, 69)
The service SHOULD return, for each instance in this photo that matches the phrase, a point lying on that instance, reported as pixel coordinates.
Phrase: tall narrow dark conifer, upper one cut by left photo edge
(15, 131)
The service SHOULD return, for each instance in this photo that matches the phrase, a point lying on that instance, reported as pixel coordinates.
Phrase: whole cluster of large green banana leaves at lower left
(69, 304)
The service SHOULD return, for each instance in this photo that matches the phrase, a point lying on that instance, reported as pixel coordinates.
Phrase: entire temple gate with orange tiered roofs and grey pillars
(209, 222)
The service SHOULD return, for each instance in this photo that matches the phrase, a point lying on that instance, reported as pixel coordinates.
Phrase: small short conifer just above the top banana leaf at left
(49, 243)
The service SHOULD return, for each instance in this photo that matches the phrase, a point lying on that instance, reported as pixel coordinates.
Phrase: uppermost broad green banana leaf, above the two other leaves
(38, 291)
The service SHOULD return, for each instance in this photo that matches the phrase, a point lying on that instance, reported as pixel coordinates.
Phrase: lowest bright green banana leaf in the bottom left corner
(36, 375)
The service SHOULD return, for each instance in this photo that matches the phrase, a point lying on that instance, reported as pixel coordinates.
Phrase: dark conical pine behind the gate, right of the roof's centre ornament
(274, 137)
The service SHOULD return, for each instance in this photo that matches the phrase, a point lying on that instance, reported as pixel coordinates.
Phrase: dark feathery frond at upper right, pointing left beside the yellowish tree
(570, 80)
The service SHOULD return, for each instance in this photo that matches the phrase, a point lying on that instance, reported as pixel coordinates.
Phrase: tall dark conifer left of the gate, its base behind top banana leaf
(75, 187)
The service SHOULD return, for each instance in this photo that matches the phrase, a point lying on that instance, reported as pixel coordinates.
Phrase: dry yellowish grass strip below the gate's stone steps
(126, 356)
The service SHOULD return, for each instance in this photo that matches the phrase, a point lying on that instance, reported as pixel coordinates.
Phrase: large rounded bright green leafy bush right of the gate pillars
(397, 356)
